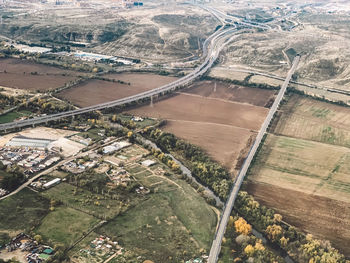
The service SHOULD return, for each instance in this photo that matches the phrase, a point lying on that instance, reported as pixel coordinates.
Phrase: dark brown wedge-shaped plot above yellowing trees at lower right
(323, 217)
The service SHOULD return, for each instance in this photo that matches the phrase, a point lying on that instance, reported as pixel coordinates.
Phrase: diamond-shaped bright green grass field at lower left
(65, 225)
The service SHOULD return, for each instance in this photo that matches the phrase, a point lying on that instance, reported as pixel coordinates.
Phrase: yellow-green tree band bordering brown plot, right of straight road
(302, 248)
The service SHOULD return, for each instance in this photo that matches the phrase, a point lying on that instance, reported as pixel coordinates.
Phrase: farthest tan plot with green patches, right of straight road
(315, 120)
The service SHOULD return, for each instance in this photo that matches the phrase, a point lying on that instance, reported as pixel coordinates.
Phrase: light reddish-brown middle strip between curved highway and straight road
(189, 107)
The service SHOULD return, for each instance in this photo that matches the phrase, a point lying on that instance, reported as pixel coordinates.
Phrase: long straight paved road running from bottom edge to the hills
(216, 246)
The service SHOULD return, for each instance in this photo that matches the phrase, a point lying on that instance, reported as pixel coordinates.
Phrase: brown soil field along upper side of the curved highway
(99, 91)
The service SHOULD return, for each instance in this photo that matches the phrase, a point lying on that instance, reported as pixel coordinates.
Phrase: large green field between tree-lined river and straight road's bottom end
(173, 220)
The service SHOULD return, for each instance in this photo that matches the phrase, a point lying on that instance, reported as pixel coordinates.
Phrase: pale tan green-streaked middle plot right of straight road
(306, 166)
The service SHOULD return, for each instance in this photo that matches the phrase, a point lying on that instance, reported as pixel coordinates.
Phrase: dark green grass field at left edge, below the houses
(22, 211)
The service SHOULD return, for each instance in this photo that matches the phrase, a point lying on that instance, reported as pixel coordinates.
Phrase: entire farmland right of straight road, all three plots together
(306, 160)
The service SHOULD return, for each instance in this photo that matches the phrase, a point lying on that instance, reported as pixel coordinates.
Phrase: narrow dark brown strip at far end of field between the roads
(226, 91)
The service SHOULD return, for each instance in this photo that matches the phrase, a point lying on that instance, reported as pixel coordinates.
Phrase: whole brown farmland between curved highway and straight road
(223, 122)
